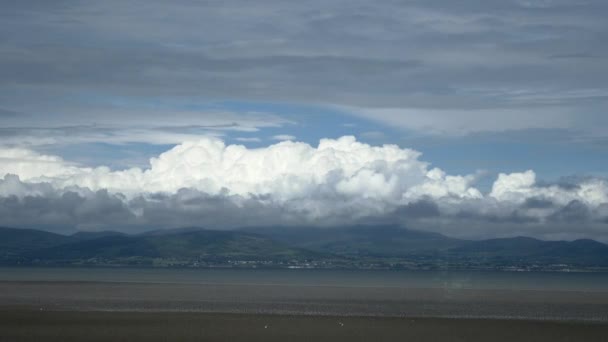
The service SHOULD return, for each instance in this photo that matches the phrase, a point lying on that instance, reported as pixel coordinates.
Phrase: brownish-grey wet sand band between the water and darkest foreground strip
(306, 300)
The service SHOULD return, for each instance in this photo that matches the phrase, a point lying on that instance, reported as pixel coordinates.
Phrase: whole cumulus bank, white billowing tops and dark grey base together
(338, 182)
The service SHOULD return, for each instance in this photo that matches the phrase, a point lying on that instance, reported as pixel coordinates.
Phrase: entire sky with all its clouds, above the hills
(472, 119)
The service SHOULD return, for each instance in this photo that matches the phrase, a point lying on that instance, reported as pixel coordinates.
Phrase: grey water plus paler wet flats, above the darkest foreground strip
(562, 296)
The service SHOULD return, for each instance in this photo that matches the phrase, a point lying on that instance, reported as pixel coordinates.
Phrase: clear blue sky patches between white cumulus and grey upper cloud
(551, 153)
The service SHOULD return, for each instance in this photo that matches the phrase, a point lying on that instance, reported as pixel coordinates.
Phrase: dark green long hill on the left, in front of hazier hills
(178, 244)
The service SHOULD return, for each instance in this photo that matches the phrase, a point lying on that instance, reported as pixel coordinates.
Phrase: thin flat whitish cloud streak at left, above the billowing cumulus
(117, 126)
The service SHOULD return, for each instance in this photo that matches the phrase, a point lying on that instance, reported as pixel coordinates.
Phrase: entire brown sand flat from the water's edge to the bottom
(104, 311)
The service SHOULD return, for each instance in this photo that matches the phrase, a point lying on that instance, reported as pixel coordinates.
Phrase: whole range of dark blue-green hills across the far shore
(346, 247)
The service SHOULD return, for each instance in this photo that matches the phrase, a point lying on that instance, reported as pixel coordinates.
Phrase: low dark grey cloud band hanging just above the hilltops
(41, 206)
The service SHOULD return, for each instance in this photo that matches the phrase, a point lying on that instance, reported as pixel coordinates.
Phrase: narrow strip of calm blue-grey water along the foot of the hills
(596, 282)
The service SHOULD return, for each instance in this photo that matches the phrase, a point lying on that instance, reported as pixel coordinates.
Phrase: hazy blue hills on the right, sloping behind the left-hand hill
(396, 242)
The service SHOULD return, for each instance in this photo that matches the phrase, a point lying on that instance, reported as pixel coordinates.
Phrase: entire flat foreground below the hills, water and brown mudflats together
(158, 305)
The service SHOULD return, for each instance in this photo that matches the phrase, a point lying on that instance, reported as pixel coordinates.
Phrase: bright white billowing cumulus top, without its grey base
(286, 171)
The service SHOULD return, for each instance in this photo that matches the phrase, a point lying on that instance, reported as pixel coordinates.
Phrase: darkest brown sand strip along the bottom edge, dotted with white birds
(17, 325)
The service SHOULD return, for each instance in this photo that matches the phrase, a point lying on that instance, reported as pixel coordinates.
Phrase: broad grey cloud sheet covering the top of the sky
(541, 61)
